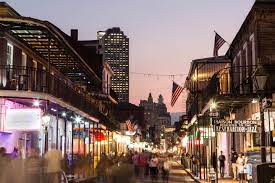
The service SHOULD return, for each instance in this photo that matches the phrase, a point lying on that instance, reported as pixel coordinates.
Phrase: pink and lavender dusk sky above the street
(165, 35)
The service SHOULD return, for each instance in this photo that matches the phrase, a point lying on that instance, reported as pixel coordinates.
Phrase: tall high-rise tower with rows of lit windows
(114, 46)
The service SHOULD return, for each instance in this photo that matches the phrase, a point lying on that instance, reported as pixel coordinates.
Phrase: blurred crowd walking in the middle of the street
(144, 165)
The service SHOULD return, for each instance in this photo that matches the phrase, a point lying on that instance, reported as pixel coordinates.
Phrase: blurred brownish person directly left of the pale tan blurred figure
(33, 166)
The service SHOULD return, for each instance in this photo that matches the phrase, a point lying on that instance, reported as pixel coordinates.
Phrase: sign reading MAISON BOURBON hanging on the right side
(241, 126)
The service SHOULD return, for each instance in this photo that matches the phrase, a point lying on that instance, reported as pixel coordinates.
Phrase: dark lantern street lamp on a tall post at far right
(260, 78)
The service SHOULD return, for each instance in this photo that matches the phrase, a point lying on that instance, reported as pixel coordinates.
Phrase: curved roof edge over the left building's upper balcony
(51, 28)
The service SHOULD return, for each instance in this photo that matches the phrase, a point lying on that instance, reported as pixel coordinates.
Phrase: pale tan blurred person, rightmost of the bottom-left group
(53, 160)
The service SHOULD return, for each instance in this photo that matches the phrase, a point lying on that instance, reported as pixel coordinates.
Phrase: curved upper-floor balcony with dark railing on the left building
(18, 78)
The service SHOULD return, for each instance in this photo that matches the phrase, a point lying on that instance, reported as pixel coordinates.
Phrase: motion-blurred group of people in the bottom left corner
(31, 169)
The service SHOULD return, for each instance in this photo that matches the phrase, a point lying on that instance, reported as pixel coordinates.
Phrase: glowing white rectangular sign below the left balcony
(23, 119)
